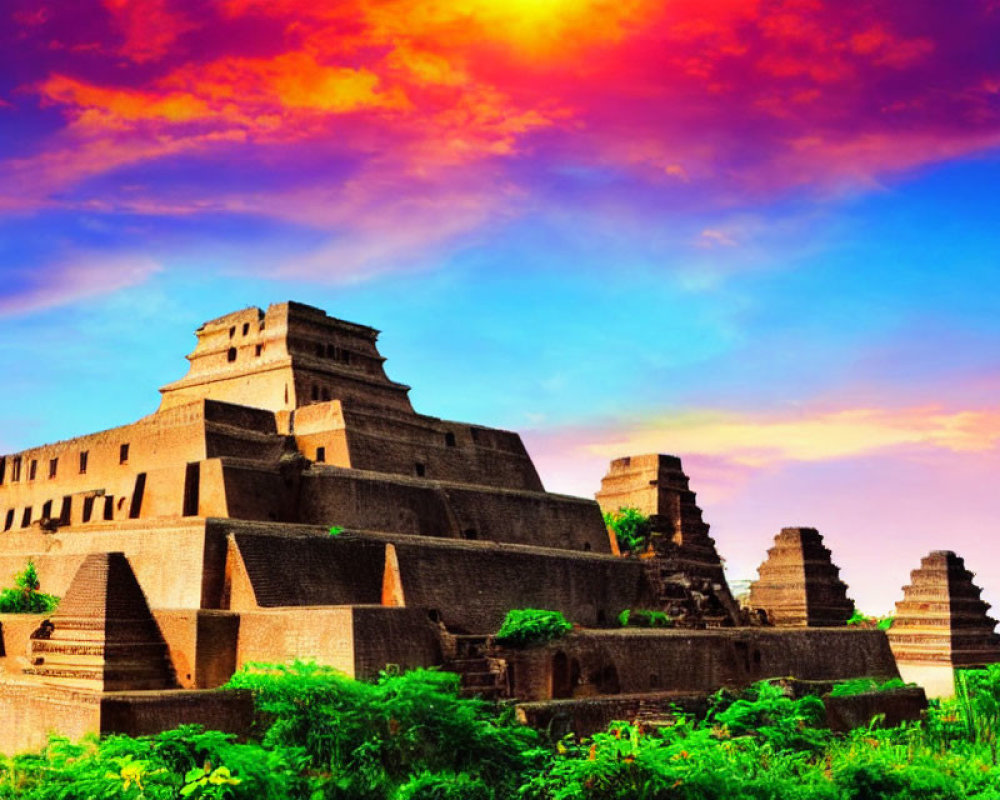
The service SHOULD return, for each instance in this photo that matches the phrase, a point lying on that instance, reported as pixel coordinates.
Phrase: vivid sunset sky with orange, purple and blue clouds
(762, 236)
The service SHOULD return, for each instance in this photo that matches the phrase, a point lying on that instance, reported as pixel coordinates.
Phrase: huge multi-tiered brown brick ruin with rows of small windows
(199, 538)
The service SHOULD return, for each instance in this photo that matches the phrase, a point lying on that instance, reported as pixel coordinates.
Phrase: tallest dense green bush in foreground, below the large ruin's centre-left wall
(372, 739)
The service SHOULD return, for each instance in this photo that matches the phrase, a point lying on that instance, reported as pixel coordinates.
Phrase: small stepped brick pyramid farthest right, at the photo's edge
(941, 618)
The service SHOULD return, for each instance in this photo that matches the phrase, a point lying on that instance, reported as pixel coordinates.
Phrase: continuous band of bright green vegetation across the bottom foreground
(323, 736)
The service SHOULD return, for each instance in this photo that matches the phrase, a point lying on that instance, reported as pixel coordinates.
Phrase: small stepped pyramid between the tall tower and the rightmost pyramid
(799, 584)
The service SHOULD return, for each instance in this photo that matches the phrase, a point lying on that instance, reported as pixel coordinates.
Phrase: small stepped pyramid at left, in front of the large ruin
(103, 636)
